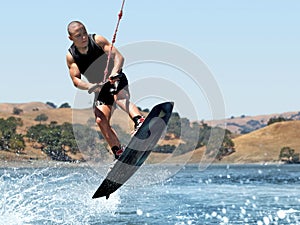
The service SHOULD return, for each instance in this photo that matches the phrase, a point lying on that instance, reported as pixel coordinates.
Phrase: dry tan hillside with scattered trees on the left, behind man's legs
(60, 115)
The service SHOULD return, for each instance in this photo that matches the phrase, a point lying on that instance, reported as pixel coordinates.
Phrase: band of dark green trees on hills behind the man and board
(56, 140)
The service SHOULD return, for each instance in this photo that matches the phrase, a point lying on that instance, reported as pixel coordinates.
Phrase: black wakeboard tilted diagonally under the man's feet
(137, 150)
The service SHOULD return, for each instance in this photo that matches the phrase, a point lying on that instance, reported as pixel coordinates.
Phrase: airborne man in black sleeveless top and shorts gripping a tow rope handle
(88, 56)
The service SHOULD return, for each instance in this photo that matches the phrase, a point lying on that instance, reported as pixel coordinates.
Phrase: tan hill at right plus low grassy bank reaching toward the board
(259, 146)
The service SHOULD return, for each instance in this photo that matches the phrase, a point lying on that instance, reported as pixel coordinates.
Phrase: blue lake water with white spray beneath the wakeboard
(235, 194)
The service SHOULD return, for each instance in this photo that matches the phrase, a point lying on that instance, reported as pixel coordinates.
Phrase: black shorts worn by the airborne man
(106, 95)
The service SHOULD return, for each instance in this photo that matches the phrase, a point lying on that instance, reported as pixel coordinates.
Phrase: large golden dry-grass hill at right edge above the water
(264, 145)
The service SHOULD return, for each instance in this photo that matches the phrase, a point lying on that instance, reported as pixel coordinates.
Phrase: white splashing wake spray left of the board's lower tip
(52, 196)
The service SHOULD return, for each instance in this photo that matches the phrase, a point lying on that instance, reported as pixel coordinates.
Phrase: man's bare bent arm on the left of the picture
(76, 75)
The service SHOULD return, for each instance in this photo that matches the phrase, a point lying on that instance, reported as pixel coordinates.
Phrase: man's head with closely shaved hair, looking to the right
(78, 35)
